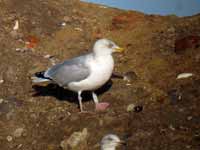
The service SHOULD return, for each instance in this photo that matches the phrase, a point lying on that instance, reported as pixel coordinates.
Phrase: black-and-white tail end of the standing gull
(39, 77)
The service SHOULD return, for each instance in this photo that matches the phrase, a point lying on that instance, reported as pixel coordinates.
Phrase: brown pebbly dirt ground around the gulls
(153, 110)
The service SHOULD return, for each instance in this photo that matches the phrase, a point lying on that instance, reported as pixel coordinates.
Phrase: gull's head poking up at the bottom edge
(110, 142)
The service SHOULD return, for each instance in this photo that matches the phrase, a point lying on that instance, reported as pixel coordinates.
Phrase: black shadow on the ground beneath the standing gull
(66, 95)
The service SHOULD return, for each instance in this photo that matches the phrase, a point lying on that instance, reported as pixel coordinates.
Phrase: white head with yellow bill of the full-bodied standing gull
(105, 47)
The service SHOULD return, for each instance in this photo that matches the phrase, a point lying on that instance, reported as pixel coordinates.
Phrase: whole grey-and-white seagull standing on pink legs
(84, 73)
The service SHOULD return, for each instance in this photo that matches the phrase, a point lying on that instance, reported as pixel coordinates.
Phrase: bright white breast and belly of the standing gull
(101, 70)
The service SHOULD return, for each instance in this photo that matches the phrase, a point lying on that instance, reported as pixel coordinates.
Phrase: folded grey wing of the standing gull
(69, 71)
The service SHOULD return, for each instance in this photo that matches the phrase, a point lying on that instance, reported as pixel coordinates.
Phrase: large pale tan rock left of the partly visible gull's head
(74, 140)
